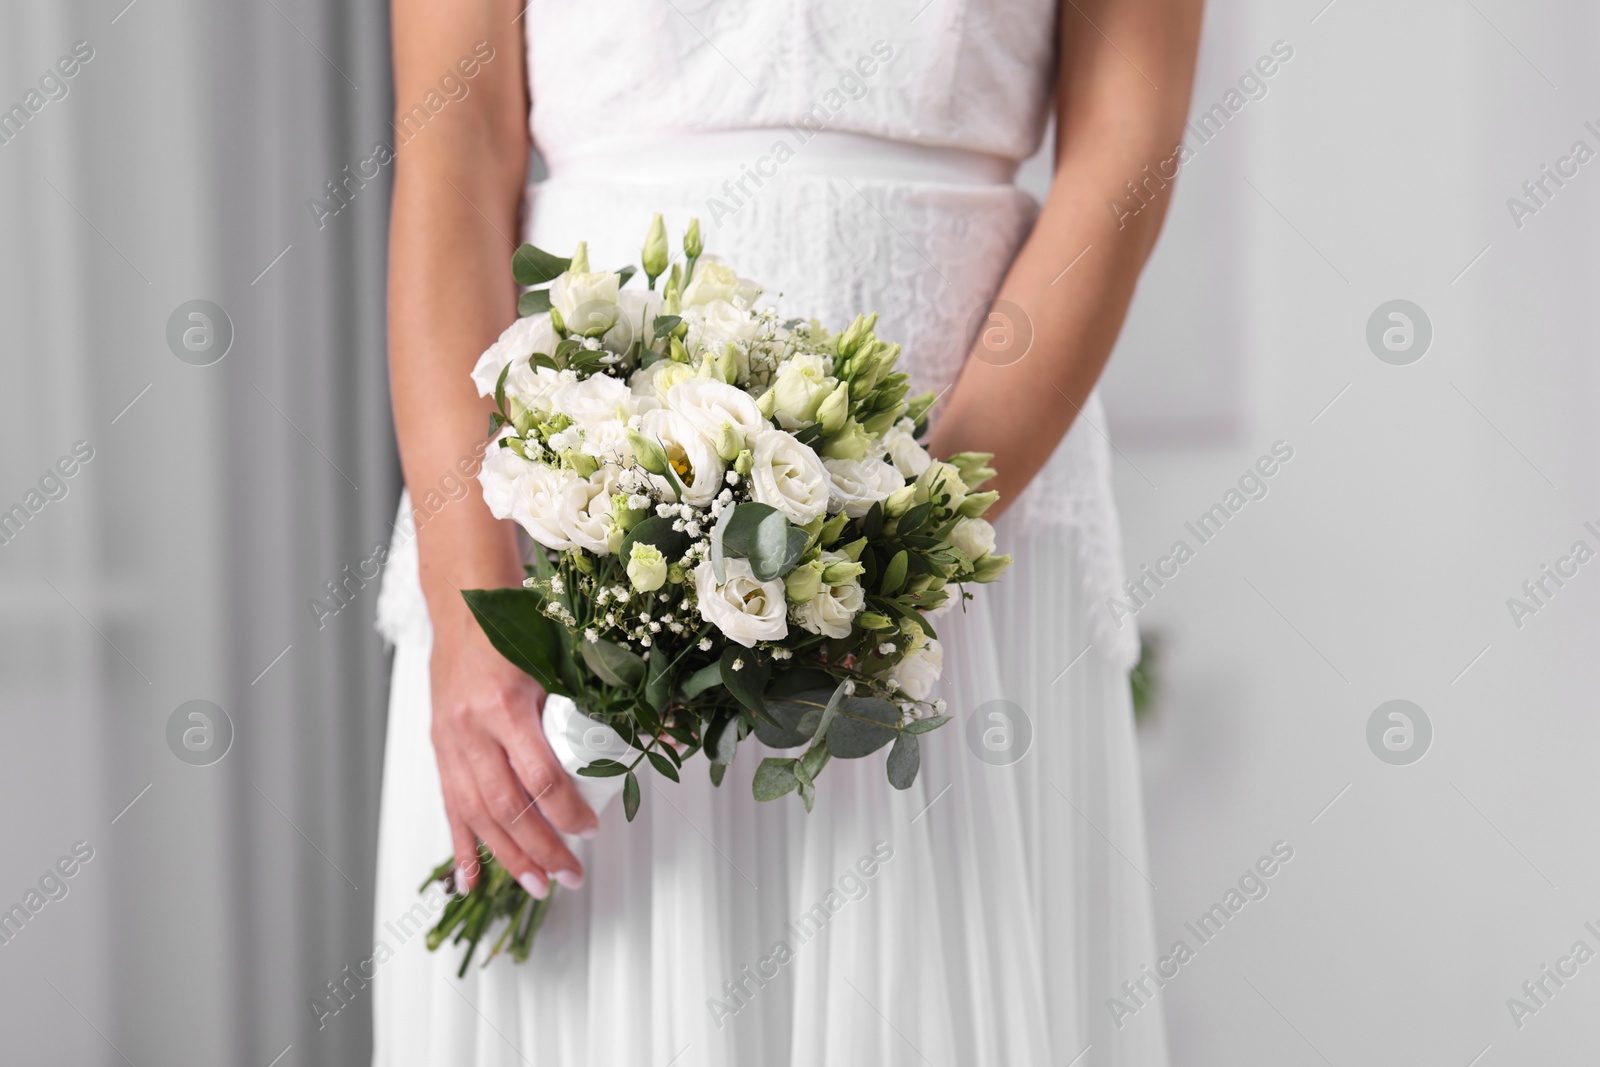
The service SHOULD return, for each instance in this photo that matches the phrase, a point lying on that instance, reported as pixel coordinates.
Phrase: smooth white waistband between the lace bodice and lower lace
(761, 154)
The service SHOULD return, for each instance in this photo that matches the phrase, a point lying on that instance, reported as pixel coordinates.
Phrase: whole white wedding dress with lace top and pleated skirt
(1007, 898)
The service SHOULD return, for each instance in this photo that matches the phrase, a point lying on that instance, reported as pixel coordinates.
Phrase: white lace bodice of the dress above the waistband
(932, 73)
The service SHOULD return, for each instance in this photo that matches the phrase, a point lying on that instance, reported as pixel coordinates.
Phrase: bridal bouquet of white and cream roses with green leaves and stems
(738, 533)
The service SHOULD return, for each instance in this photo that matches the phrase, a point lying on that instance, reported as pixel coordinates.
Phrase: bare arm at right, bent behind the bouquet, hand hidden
(1121, 105)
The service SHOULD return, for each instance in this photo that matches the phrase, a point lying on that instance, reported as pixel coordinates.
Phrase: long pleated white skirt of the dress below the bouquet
(982, 917)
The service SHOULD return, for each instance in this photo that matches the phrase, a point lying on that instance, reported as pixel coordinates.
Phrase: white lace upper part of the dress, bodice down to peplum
(849, 156)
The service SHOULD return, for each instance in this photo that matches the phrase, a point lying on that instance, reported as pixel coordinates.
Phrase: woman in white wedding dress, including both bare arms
(850, 156)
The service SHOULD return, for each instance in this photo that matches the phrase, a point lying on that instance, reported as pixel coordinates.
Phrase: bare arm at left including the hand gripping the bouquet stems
(457, 198)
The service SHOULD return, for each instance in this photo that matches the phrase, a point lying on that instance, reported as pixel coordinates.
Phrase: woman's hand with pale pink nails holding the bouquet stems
(502, 781)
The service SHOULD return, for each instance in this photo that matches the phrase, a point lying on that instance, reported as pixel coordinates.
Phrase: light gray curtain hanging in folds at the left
(178, 562)
